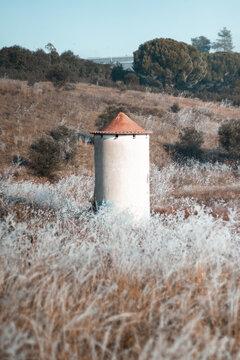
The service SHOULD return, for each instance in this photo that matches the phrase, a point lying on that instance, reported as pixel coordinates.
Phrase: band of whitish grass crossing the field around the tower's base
(130, 246)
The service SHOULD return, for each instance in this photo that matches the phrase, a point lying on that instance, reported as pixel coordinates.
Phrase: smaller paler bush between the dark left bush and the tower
(66, 139)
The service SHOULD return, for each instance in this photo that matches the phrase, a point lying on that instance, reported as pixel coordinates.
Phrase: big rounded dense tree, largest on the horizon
(170, 62)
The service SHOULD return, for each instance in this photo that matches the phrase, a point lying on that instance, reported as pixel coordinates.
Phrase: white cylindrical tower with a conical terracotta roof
(122, 166)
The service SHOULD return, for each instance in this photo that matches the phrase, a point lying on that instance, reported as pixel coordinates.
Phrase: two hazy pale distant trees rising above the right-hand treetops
(223, 43)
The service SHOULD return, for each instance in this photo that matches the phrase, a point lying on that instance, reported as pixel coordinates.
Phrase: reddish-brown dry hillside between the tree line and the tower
(25, 112)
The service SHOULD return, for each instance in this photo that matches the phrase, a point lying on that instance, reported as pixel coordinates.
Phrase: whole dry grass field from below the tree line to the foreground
(77, 285)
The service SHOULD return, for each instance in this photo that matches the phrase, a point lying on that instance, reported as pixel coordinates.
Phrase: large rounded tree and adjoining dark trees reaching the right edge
(167, 63)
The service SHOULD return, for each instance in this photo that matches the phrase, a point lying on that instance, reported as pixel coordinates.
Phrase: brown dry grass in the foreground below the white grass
(64, 313)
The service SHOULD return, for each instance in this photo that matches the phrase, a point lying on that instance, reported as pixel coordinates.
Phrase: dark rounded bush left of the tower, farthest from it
(45, 155)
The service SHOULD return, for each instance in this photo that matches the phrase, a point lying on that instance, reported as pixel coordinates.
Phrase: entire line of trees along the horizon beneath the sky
(163, 64)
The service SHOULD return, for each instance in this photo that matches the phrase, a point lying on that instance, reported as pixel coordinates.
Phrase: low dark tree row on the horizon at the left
(19, 63)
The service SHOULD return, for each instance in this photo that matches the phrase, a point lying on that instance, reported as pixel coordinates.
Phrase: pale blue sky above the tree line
(112, 28)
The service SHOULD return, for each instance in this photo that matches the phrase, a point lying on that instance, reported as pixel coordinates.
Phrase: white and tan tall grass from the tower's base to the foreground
(74, 285)
